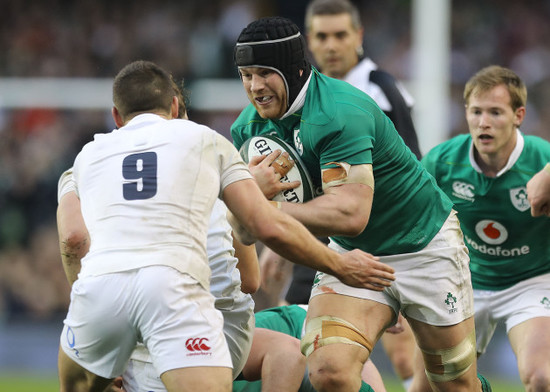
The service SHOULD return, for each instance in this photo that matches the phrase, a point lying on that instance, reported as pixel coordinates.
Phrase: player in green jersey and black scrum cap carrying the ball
(376, 196)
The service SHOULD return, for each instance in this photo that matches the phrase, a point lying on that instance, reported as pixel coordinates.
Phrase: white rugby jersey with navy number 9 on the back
(147, 192)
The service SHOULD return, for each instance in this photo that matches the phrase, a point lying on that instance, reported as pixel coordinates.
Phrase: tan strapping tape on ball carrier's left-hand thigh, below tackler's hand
(325, 330)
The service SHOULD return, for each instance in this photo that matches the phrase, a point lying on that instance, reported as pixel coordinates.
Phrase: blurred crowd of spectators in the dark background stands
(194, 39)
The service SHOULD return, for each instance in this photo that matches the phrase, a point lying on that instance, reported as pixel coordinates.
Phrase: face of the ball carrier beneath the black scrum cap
(266, 90)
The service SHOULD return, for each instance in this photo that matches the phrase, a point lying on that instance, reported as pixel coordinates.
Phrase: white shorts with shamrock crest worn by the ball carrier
(432, 286)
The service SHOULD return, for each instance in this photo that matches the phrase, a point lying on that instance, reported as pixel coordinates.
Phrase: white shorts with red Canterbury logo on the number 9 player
(170, 312)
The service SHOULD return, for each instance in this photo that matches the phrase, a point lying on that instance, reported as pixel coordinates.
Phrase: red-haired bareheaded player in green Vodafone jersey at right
(485, 174)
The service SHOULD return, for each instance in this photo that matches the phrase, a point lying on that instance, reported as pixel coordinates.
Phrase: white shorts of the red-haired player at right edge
(523, 301)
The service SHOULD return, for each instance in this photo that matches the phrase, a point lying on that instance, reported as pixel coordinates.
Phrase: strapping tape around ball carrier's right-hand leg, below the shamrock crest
(449, 364)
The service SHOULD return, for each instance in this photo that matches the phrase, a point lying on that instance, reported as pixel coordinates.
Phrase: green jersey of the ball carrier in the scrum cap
(340, 123)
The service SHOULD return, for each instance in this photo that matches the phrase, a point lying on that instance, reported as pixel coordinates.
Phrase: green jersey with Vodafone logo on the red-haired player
(506, 244)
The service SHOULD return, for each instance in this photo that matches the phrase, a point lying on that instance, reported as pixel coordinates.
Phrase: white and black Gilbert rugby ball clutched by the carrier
(265, 145)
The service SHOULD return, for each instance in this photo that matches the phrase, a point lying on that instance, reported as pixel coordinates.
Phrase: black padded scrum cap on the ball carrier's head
(275, 43)
